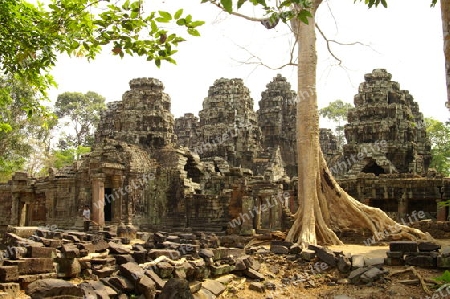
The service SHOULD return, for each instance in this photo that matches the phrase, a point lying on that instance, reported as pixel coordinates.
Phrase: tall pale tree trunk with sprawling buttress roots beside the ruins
(323, 205)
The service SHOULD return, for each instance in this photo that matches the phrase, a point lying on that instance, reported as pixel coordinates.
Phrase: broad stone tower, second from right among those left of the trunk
(228, 126)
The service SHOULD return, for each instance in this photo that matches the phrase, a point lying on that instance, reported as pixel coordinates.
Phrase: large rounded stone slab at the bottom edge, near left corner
(51, 287)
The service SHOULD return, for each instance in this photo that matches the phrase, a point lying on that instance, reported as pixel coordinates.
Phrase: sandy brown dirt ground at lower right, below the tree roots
(293, 279)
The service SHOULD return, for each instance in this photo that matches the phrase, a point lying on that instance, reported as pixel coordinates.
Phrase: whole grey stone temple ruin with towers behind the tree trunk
(231, 169)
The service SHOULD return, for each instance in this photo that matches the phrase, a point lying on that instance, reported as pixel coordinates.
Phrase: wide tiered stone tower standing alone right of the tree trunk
(385, 131)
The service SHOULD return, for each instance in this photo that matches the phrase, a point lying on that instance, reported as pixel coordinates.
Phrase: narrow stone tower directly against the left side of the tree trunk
(277, 120)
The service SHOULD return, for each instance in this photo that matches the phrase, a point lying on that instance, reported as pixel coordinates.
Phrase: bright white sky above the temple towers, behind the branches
(405, 39)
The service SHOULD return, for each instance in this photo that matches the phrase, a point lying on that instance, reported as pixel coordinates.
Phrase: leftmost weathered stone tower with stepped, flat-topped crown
(142, 117)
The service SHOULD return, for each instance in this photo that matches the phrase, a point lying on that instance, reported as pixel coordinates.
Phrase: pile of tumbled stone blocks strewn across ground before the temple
(48, 263)
